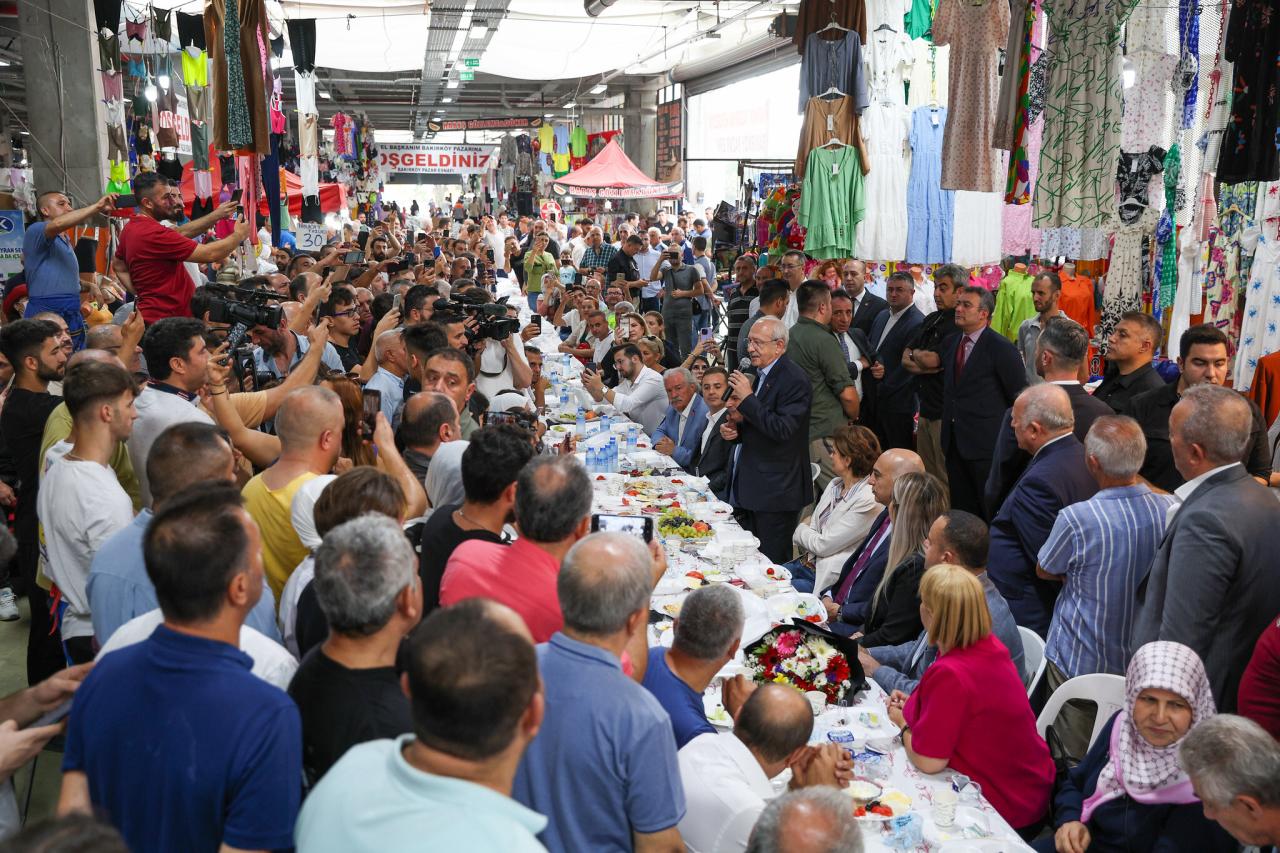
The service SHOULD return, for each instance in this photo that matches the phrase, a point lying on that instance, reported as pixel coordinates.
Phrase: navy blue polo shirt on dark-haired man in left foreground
(185, 750)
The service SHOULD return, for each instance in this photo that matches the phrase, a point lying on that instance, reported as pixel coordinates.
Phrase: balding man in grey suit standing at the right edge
(1213, 585)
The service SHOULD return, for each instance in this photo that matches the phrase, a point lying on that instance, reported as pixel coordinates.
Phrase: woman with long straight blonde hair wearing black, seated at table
(894, 615)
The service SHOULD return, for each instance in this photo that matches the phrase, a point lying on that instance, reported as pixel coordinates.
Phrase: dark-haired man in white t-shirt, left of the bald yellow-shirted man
(179, 363)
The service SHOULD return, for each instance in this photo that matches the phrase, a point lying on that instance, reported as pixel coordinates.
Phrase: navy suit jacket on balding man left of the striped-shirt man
(1055, 480)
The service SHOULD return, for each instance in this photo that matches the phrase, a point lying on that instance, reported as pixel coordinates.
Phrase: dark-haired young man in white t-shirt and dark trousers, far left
(81, 504)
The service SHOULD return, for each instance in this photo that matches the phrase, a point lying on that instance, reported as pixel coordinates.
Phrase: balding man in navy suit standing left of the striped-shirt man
(1055, 478)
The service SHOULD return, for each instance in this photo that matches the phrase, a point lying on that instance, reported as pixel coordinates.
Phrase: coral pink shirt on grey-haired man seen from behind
(520, 576)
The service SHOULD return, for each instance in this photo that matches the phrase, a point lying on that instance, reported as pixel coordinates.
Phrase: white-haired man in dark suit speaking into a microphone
(770, 421)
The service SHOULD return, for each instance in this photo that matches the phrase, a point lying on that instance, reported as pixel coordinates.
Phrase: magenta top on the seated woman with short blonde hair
(971, 709)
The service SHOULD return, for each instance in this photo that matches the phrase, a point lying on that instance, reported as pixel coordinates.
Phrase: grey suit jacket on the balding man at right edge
(1214, 583)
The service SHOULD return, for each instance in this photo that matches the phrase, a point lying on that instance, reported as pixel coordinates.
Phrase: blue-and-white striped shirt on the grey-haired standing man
(1103, 548)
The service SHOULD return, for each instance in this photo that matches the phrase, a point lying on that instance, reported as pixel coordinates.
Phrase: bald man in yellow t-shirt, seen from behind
(309, 423)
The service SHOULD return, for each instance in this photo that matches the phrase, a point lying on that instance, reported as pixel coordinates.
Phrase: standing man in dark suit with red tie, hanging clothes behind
(982, 375)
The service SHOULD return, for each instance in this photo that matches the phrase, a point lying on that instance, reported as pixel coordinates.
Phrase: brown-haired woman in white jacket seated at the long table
(845, 512)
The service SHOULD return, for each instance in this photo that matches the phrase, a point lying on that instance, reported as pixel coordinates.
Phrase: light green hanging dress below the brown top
(833, 203)
